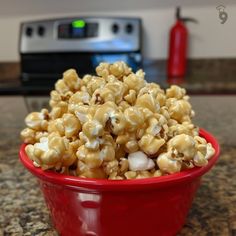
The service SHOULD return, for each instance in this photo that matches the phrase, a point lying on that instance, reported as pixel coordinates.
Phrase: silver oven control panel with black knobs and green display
(81, 34)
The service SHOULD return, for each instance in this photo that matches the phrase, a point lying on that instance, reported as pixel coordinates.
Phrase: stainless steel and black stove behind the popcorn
(49, 47)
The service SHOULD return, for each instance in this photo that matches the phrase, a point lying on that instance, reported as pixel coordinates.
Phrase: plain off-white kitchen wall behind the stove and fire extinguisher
(208, 39)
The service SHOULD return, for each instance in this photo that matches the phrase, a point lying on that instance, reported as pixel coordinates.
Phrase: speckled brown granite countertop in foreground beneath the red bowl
(22, 208)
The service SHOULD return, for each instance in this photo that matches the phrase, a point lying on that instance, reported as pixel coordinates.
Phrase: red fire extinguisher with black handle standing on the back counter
(178, 44)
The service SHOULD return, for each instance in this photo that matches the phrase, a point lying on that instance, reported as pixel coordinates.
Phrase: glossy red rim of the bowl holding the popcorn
(118, 185)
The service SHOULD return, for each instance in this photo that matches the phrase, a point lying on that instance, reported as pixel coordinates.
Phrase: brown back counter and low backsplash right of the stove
(203, 76)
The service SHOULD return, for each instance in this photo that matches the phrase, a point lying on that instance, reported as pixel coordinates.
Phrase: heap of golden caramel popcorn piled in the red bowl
(115, 125)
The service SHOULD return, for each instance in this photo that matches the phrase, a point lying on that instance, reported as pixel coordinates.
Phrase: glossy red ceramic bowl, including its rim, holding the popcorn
(140, 207)
